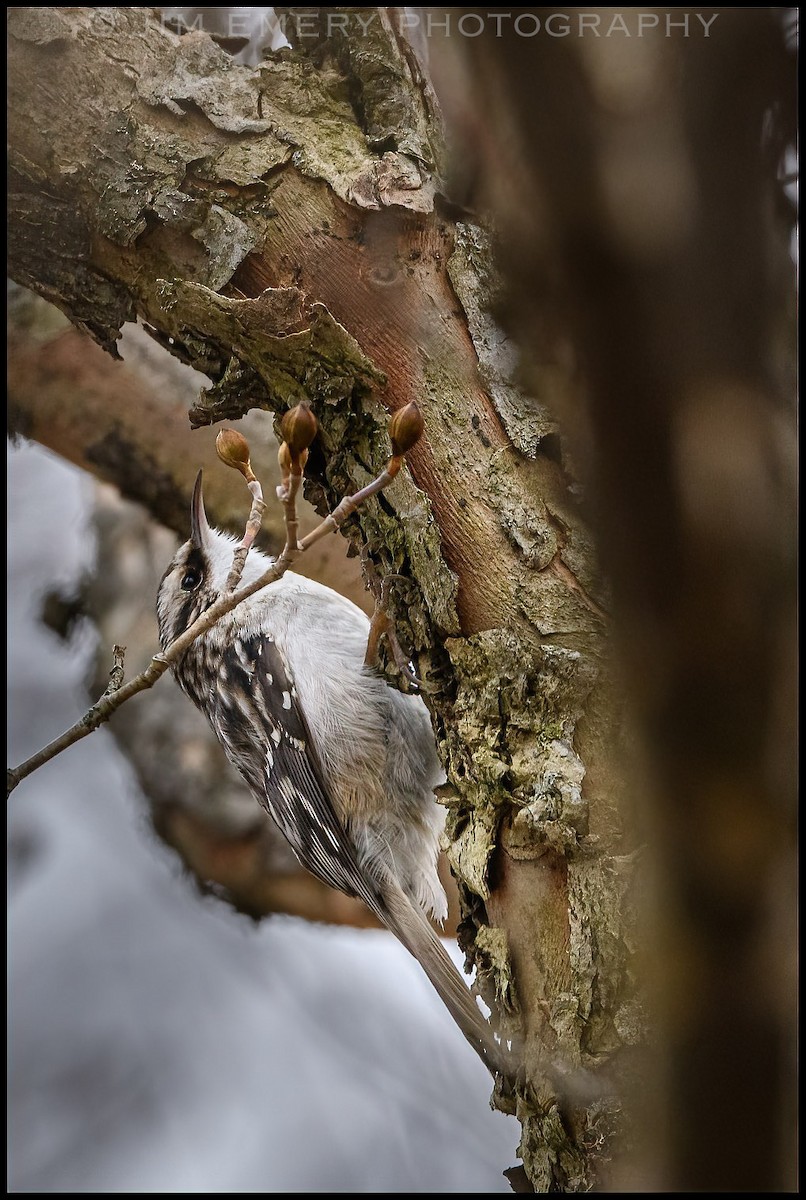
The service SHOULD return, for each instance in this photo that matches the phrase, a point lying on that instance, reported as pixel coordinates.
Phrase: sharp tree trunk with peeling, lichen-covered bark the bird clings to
(282, 230)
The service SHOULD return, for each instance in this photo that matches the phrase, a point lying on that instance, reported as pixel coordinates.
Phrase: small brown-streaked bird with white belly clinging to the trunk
(345, 765)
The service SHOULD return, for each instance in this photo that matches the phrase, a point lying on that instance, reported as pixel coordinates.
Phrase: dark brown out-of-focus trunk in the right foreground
(639, 187)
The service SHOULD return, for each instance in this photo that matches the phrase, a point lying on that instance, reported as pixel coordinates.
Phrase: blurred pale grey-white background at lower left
(160, 1042)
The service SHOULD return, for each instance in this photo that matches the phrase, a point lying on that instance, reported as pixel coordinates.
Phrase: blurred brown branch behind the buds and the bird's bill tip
(127, 424)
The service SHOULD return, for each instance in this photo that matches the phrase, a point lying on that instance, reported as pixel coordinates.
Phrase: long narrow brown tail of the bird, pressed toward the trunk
(411, 926)
